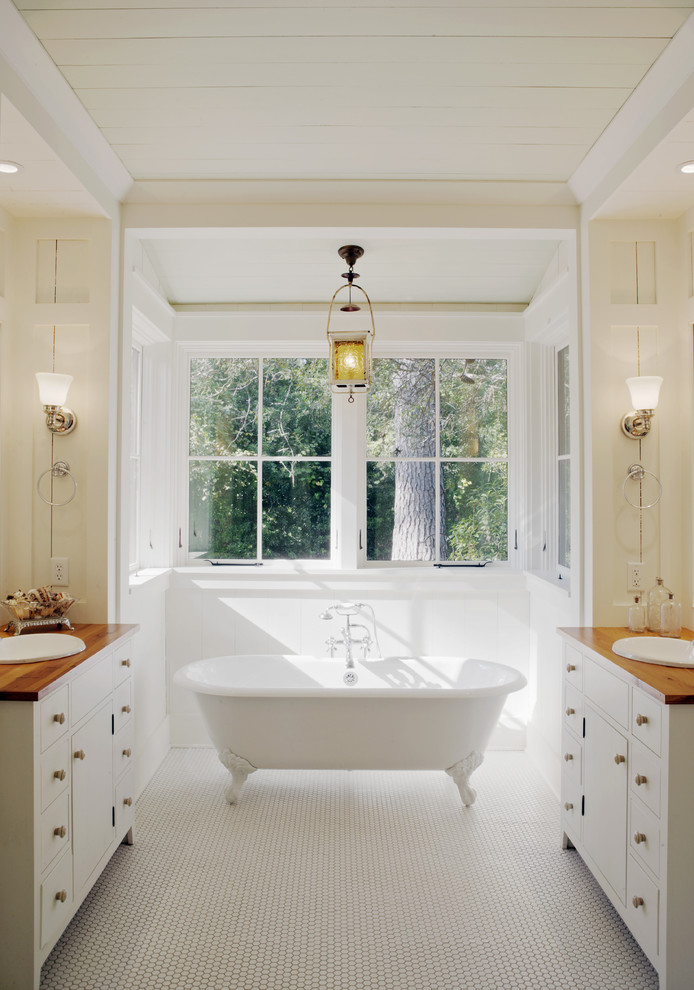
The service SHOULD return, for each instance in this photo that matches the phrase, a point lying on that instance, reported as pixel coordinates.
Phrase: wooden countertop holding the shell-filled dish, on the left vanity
(32, 681)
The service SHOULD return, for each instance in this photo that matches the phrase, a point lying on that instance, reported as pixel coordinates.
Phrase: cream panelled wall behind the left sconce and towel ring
(59, 288)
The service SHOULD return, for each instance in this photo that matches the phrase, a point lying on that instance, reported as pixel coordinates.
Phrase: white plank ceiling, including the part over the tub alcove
(497, 102)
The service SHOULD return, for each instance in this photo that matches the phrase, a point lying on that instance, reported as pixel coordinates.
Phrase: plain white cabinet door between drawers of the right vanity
(605, 763)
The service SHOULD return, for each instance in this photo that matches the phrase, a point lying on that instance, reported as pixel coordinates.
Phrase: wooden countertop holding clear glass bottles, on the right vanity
(671, 685)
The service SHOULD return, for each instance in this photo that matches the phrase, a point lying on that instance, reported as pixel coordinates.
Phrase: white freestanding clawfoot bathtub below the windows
(297, 712)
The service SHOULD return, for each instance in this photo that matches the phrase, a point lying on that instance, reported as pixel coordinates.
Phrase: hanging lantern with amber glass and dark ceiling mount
(350, 362)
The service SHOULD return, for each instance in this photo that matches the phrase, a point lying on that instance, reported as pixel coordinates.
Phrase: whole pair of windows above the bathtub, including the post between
(421, 465)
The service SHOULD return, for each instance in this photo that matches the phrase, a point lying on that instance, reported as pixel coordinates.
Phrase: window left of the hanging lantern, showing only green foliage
(259, 467)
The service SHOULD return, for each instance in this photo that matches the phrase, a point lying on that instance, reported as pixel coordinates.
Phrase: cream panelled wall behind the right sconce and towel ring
(638, 301)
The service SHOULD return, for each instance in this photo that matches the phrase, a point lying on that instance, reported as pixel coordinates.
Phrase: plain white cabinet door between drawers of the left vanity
(92, 793)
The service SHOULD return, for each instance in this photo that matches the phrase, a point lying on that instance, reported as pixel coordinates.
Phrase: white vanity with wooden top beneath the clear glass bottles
(627, 801)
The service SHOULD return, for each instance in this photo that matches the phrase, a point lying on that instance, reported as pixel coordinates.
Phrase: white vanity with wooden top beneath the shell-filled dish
(66, 780)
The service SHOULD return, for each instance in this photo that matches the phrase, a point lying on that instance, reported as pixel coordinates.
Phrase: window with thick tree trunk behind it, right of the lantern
(437, 460)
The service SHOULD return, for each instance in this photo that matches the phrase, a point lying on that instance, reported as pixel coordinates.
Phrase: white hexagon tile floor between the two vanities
(322, 880)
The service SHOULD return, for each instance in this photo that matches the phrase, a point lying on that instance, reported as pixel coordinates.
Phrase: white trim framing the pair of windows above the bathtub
(348, 512)
